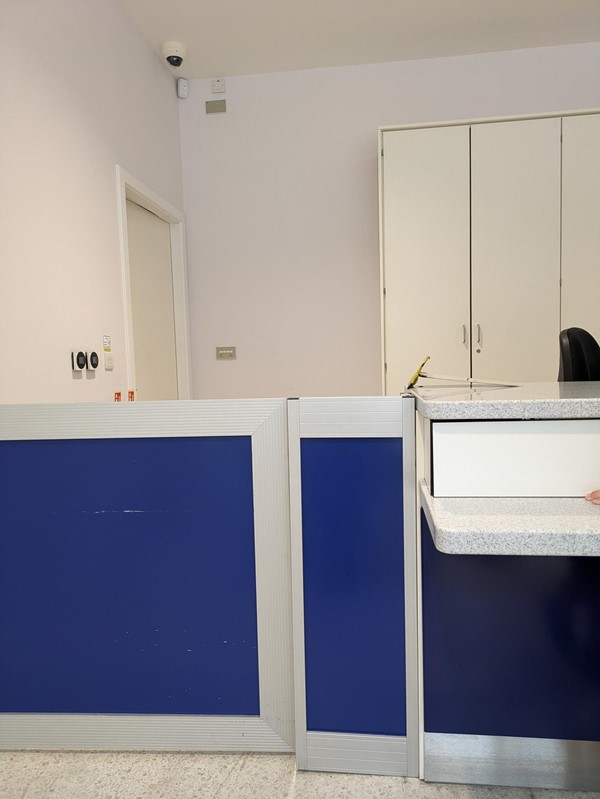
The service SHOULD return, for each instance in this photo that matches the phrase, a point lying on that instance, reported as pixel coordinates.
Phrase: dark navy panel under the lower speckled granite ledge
(511, 645)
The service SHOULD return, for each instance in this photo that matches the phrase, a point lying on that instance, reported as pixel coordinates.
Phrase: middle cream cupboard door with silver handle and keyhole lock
(516, 210)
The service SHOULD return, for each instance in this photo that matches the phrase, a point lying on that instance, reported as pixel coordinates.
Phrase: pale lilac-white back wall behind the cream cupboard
(282, 210)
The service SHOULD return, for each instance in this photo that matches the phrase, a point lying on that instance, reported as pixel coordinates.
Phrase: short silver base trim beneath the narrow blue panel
(356, 754)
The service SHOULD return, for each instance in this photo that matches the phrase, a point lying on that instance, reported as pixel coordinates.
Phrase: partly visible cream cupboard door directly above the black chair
(581, 223)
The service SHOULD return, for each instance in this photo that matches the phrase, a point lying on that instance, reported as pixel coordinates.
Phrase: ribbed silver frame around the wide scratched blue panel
(265, 421)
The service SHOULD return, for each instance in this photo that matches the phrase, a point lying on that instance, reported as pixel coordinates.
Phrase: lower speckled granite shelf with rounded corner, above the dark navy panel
(513, 525)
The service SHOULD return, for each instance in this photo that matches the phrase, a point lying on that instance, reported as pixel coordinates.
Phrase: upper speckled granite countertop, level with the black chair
(455, 401)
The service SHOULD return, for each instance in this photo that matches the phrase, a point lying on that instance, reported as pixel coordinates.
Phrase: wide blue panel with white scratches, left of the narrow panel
(127, 579)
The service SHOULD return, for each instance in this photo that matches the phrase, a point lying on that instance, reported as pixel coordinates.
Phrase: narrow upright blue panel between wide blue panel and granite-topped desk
(353, 555)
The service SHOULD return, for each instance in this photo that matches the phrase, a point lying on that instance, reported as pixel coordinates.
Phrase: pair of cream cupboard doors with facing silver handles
(471, 250)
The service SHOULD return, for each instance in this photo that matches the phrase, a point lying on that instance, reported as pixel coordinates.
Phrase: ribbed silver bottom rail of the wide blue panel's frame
(138, 733)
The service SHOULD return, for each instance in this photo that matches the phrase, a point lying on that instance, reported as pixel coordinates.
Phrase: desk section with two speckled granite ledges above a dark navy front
(511, 584)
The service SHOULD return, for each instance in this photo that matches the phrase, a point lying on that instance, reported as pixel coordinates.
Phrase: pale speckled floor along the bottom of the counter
(91, 775)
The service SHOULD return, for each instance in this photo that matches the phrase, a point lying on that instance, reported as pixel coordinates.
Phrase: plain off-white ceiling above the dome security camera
(242, 37)
